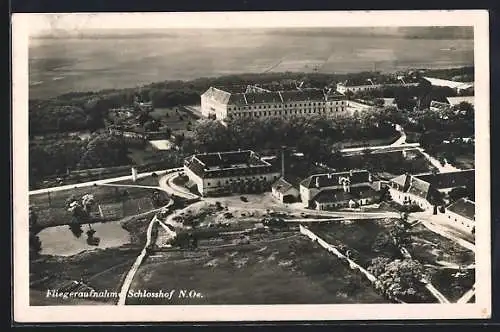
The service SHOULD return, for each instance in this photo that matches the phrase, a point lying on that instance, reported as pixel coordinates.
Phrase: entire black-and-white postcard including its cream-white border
(251, 166)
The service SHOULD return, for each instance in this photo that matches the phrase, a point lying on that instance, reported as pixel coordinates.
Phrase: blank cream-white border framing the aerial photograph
(26, 24)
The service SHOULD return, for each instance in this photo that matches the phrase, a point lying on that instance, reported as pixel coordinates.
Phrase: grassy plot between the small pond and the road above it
(111, 200)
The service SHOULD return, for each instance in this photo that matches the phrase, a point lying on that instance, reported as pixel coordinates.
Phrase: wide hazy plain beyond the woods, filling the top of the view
(60, 65)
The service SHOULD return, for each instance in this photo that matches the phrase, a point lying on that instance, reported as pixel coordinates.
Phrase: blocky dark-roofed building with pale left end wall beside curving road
(230, 172)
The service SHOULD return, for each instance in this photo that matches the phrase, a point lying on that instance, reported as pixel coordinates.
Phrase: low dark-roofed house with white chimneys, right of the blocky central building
(324, 191)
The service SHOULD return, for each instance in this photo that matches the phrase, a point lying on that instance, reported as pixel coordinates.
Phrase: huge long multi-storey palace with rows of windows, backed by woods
(259, 102)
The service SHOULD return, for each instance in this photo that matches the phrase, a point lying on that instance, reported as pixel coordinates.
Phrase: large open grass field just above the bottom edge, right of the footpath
(288, 271)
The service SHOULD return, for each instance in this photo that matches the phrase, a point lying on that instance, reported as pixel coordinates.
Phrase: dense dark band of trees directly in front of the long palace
(315, 136)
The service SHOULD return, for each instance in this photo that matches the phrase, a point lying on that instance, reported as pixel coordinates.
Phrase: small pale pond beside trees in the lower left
(61, 241)
